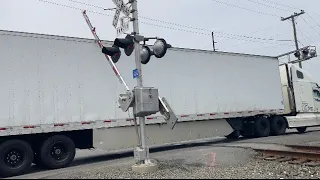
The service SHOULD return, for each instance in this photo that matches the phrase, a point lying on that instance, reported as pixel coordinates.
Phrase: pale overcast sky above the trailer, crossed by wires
(245, 26)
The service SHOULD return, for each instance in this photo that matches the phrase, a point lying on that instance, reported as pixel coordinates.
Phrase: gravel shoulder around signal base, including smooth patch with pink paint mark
(200, 163)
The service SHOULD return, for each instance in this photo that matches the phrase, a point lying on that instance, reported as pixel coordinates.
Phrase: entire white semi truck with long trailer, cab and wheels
(58, 94)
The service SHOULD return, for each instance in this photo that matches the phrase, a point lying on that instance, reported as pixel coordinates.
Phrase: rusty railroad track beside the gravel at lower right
(293, 154)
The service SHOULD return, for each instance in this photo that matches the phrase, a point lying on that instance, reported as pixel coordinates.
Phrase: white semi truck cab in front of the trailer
(301, 97)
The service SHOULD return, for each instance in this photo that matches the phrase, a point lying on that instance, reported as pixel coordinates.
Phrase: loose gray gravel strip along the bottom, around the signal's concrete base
(254, 168)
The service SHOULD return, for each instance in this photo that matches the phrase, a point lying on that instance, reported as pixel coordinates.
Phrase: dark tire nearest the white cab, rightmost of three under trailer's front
(278, 125)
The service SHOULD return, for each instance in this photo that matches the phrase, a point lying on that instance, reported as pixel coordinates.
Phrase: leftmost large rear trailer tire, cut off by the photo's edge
(16, 158)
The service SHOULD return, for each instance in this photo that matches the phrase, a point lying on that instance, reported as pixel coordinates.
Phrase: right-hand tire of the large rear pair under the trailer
(57, 152)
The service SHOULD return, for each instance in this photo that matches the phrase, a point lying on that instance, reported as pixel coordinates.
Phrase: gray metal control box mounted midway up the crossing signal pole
(146, 101)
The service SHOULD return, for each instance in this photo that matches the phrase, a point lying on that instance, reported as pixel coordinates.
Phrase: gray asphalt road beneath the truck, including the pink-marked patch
(201, 154)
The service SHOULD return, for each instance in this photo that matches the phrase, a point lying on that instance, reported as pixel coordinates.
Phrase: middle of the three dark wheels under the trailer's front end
(262, 127)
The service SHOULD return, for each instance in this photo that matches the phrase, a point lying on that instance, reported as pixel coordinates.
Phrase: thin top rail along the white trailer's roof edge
(88, 40)
